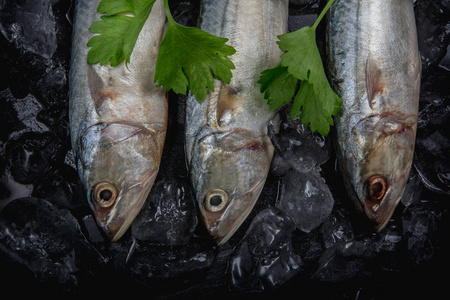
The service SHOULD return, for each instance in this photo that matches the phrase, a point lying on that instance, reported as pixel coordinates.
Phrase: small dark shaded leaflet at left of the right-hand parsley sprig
(278, 86)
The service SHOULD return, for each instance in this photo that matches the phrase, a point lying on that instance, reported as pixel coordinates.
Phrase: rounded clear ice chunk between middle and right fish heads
(306, 199)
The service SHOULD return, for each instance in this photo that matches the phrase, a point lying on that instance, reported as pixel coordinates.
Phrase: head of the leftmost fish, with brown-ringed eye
(118, 164)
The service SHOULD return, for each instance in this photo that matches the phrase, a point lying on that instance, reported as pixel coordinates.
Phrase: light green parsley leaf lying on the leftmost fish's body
(117, 32)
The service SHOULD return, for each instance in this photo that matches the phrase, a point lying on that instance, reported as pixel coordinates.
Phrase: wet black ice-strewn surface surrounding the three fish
(50, 244)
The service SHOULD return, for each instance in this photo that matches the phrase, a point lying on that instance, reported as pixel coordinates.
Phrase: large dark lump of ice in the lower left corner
(47, 241)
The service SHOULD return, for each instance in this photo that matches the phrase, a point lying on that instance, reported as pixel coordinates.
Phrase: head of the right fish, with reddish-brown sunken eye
(384, 163)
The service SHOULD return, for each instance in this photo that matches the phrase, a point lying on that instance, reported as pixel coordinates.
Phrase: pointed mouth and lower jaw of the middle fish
(222, 225)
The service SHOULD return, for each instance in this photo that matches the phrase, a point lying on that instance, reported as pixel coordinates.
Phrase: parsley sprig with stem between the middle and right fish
(301, 61)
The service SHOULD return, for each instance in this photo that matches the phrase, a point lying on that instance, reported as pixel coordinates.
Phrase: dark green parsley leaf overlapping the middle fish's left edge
(188, 57)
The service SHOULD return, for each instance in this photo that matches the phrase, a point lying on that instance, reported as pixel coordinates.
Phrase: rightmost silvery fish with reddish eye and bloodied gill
(374, 66)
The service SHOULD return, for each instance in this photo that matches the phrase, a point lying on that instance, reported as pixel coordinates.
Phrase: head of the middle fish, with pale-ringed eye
(228, 171)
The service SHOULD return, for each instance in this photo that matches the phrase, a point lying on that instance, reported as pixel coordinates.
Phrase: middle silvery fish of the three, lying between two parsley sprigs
(227, 147)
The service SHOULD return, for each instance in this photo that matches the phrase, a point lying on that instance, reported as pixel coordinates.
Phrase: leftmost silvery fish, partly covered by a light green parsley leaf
(118, 121)
